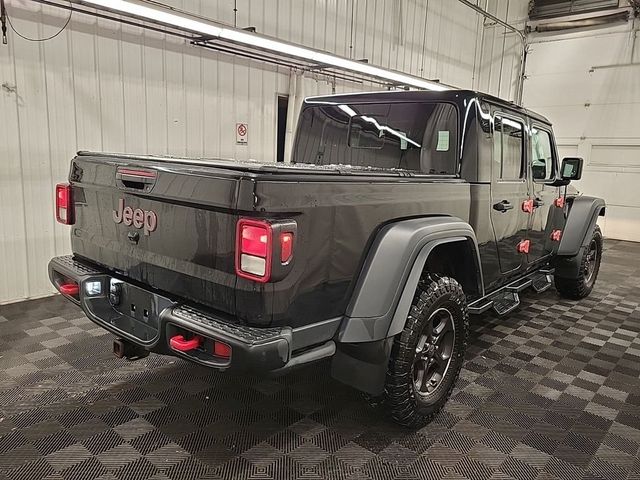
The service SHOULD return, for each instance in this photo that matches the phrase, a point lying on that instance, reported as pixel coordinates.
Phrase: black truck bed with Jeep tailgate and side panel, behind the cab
(191, 252)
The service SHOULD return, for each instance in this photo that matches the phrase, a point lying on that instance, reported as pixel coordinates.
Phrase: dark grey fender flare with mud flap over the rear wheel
(384, 292)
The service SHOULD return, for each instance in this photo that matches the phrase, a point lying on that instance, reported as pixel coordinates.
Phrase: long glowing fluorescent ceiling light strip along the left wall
(168, 17)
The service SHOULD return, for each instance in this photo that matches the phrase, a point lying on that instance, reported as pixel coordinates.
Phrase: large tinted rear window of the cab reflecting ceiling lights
(417, 137)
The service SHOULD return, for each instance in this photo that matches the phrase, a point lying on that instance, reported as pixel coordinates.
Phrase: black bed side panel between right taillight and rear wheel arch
(337, 221)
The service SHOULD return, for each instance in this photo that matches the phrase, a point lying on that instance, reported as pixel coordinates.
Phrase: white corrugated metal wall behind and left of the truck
(103, 86)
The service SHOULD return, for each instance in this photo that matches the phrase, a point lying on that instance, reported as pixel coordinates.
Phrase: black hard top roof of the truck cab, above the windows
(453, 95)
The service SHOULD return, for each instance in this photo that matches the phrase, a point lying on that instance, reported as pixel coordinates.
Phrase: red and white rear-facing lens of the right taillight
(254, 250)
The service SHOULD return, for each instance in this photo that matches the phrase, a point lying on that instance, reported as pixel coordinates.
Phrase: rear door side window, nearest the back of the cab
(508, 148)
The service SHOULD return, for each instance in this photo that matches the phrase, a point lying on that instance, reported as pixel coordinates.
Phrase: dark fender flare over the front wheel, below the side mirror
(582, 217)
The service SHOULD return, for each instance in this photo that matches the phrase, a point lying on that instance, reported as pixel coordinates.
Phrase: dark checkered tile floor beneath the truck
(553, 391)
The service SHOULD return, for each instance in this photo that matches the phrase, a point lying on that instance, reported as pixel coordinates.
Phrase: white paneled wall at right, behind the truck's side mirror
(595, 113)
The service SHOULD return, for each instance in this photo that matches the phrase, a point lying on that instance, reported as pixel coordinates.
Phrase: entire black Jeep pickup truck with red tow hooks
(400, 214)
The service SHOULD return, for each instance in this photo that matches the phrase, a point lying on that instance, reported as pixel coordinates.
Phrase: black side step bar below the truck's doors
(506, 300)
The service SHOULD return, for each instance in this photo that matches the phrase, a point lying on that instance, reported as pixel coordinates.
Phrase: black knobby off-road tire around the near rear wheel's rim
(405, 406)
